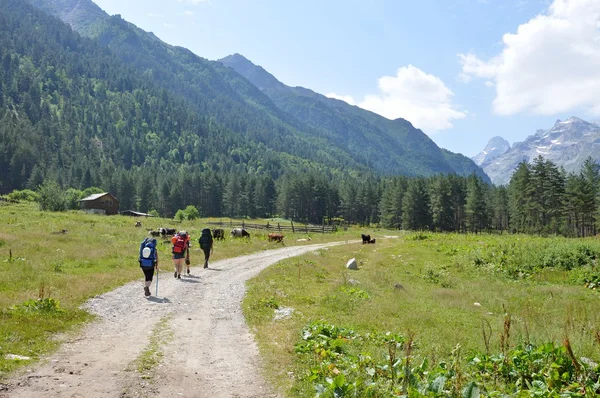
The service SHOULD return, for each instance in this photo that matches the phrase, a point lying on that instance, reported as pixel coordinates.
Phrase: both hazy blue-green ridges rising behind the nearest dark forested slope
(247, 100)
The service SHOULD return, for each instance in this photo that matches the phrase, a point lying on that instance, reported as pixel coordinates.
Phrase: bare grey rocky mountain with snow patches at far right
(568, 143)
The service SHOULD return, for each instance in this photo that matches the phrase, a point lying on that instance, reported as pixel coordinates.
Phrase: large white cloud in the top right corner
(550, 65)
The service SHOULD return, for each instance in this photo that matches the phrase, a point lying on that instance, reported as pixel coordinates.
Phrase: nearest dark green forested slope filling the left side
(73, 111)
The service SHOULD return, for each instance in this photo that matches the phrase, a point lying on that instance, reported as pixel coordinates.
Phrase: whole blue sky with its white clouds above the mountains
(461, 70)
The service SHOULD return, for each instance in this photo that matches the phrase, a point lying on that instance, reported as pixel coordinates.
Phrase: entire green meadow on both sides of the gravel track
(465, 314)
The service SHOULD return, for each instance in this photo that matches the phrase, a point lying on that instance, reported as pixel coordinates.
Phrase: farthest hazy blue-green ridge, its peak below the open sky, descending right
(388, 146)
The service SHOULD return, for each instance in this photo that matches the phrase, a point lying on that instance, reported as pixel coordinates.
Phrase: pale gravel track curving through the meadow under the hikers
(210, 351)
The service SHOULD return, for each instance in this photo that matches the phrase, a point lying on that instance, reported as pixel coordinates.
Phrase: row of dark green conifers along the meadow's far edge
(540, 198)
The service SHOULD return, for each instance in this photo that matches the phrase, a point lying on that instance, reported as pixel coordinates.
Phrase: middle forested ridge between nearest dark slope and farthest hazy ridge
(210, 88)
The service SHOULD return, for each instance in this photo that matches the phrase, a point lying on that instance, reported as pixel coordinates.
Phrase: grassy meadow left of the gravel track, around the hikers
(95, 255)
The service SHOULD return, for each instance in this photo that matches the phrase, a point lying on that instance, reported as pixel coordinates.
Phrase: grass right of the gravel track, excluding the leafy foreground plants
(441, 291)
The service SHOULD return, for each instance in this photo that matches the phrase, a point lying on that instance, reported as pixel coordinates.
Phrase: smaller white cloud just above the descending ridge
(416, 96)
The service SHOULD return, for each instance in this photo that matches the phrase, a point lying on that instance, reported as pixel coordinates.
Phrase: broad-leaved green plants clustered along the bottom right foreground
(343, 362)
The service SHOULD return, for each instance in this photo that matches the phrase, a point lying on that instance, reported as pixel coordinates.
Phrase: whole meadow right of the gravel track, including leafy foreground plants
(433, 315)
